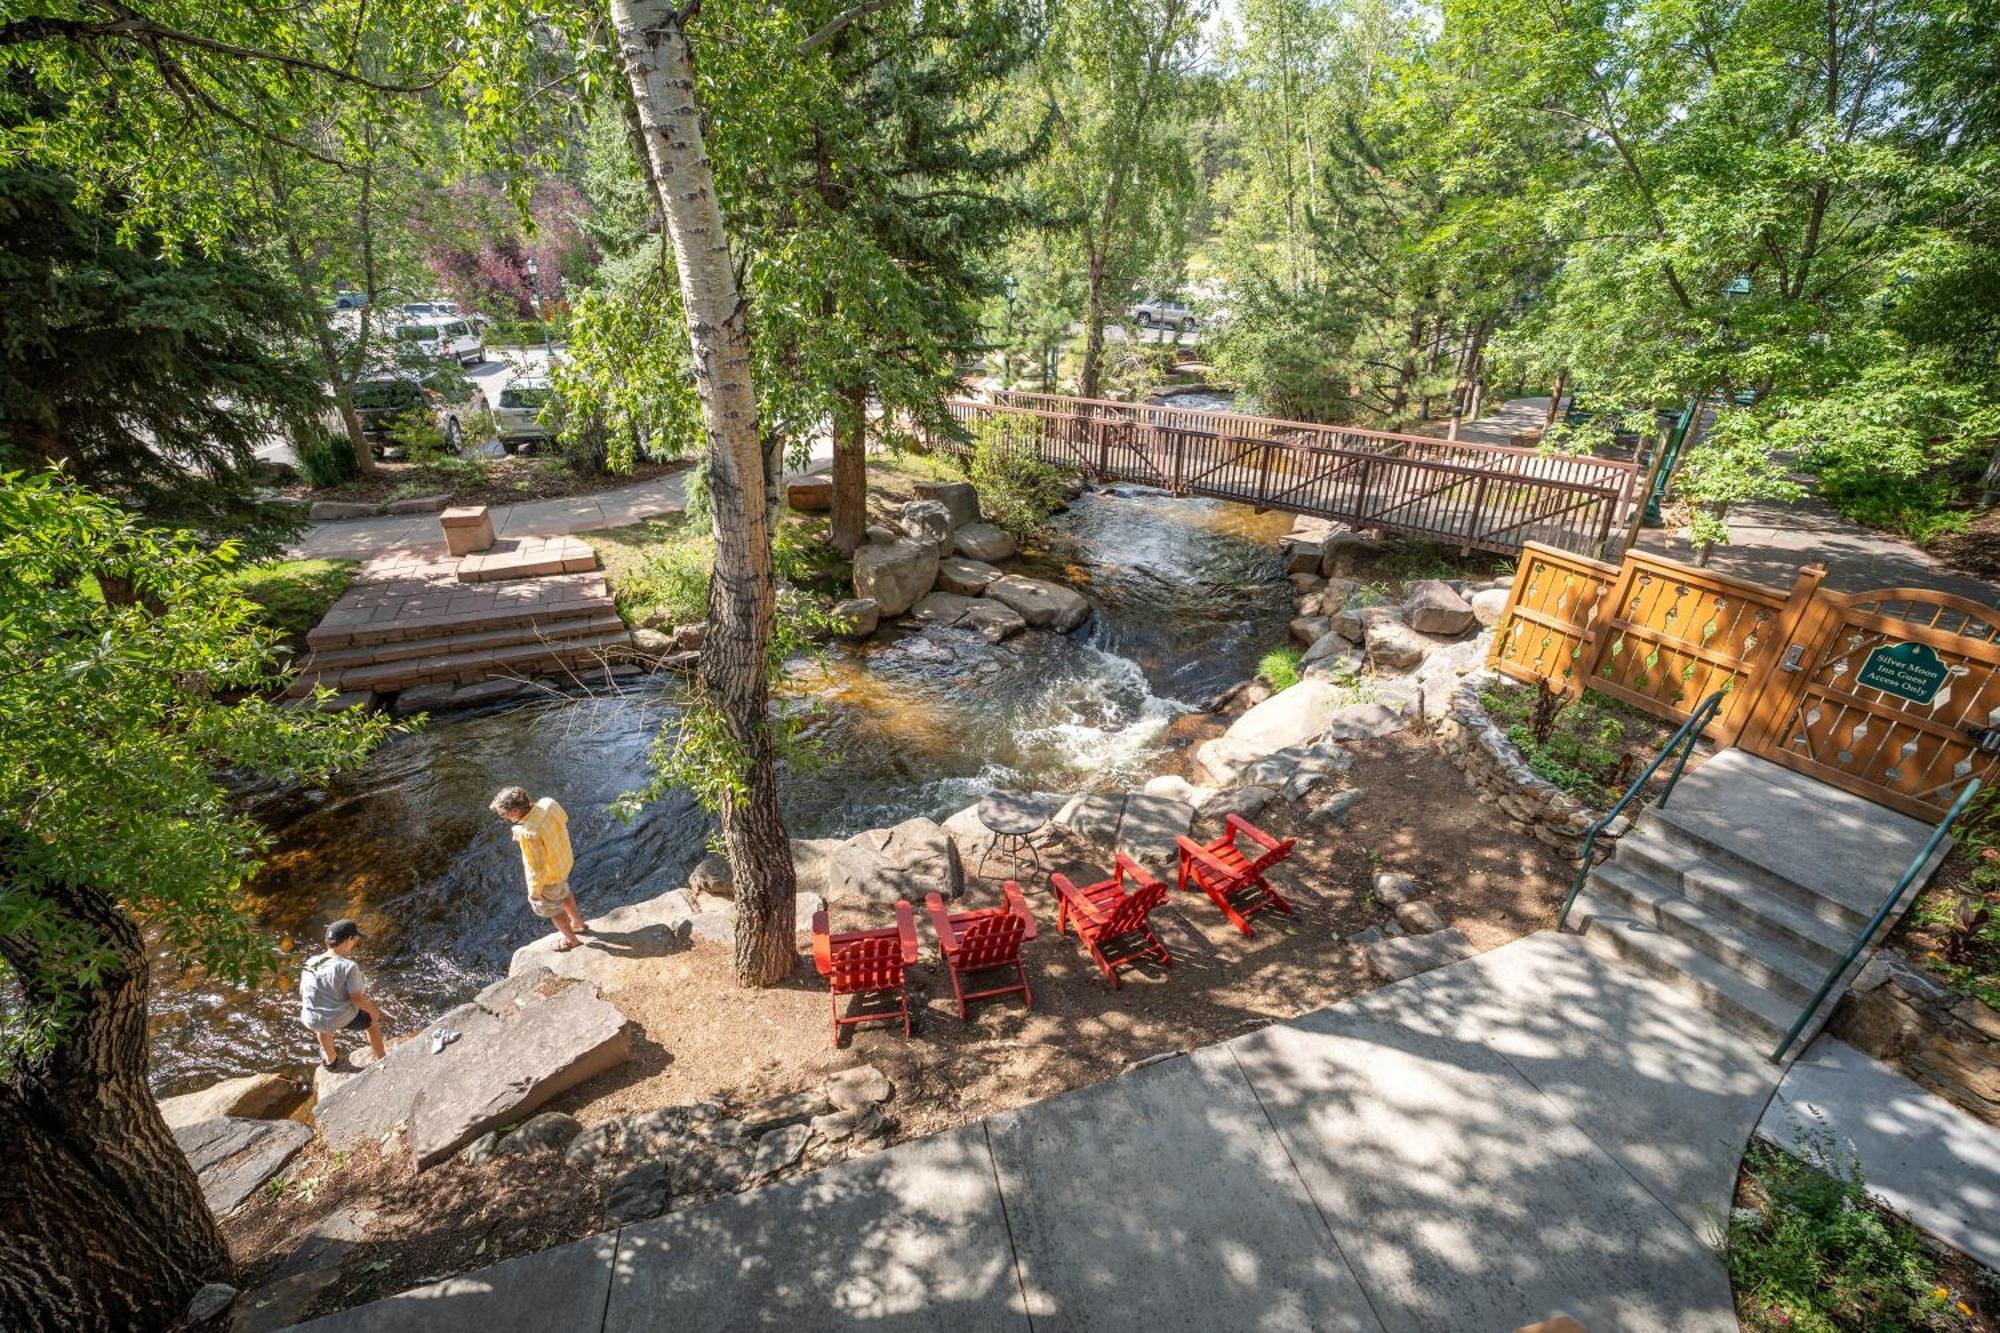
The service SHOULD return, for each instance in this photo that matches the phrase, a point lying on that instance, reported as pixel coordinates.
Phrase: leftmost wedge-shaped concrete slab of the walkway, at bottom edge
(551, 1290)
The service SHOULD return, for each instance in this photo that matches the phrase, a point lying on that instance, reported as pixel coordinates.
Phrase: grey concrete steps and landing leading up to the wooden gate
(1747, 888)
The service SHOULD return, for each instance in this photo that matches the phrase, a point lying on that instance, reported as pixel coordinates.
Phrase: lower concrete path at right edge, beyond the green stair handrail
(1919, 1154)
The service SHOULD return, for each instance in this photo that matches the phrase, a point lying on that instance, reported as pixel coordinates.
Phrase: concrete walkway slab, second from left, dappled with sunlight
(911, 1240)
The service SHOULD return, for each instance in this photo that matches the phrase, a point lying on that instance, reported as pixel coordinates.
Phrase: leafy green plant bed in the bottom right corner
(1809, 1252)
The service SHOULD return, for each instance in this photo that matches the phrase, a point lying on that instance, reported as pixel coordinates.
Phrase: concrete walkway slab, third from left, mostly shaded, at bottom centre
(1163, 1204)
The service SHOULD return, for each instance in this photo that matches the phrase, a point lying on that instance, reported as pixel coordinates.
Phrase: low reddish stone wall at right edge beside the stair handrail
(1909, 1020)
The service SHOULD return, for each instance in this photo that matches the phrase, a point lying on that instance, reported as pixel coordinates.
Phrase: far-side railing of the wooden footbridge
(1513, 459)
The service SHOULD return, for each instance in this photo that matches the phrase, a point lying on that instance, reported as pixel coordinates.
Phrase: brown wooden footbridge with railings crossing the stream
(1475, 497)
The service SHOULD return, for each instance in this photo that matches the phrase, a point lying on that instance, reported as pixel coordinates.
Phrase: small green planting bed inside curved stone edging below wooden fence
(1593, 750)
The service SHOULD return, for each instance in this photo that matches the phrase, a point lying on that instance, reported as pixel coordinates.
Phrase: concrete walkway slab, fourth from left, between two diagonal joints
(1457, 1192)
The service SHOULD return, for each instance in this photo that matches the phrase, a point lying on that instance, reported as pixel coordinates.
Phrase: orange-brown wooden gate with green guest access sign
(1887, 696)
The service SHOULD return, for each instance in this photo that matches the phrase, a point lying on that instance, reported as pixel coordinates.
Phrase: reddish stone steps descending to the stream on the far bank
(397, 635)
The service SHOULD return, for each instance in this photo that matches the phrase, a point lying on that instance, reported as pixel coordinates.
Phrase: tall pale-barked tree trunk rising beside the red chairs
(653, 51)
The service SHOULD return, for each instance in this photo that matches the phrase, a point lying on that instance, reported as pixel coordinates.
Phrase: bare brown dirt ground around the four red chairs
(703, 1038)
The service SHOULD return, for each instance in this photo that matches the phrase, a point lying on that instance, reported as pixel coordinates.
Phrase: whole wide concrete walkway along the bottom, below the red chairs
(1525, 1134)
